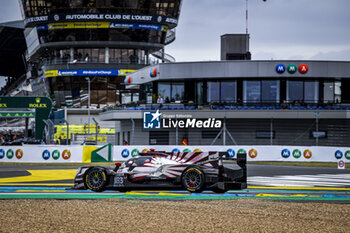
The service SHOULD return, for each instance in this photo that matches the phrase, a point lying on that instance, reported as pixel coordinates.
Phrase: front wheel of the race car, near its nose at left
(96, 179)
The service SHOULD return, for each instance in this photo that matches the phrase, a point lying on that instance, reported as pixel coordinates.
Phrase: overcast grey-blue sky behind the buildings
(279, 29)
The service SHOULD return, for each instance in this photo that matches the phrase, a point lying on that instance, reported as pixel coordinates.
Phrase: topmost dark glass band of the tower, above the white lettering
(147, 7)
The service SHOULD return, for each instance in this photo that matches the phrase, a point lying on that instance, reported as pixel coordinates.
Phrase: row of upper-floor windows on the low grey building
(251, 92)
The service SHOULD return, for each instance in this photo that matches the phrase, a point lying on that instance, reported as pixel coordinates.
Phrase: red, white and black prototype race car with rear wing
(192, 171)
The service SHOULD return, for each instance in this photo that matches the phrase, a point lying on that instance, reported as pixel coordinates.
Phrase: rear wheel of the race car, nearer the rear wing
(193, 179)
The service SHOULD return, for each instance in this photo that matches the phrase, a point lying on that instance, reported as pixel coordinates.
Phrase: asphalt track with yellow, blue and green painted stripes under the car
(283, 183)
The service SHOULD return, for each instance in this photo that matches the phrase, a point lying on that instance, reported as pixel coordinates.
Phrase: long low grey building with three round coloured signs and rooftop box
(271, 102)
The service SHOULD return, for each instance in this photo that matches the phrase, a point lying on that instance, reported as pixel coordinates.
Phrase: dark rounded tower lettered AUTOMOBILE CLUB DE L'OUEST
(77, 42)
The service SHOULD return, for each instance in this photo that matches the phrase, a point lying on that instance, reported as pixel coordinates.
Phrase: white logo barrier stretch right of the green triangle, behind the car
(254, 153)
